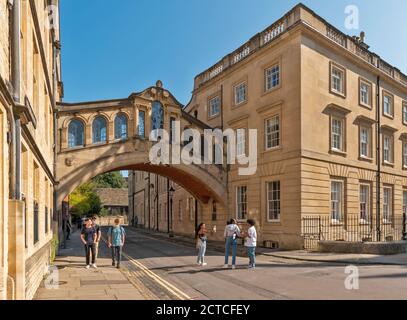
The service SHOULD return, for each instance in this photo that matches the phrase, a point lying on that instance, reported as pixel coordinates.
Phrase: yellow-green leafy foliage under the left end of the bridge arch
(84, 201)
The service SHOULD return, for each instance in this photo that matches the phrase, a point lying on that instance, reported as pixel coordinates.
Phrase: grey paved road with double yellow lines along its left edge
(164, 269)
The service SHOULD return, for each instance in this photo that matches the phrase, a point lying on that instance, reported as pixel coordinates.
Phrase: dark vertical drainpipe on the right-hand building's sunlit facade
(378, 157)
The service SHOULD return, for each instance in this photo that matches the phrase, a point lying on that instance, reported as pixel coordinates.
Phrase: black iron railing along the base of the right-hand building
(352, 228)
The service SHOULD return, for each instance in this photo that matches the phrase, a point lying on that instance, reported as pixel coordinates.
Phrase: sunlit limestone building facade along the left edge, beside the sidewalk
(29, 88)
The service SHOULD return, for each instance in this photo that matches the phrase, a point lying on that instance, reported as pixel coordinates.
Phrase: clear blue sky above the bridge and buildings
(113, 48)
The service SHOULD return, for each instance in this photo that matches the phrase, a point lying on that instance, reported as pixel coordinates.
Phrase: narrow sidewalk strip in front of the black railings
(367, 259)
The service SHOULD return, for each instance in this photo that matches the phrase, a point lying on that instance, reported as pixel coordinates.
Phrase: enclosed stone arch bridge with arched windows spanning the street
(104, 136)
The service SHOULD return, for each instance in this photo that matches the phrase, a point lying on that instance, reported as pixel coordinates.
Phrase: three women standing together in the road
(232, 233)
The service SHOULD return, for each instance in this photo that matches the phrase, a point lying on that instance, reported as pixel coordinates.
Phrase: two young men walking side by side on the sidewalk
(91, 236)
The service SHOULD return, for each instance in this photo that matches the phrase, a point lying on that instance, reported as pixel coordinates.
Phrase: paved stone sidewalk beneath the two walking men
(78, 283)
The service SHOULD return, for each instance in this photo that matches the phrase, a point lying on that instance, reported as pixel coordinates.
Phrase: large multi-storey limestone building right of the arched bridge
(322, 103)
